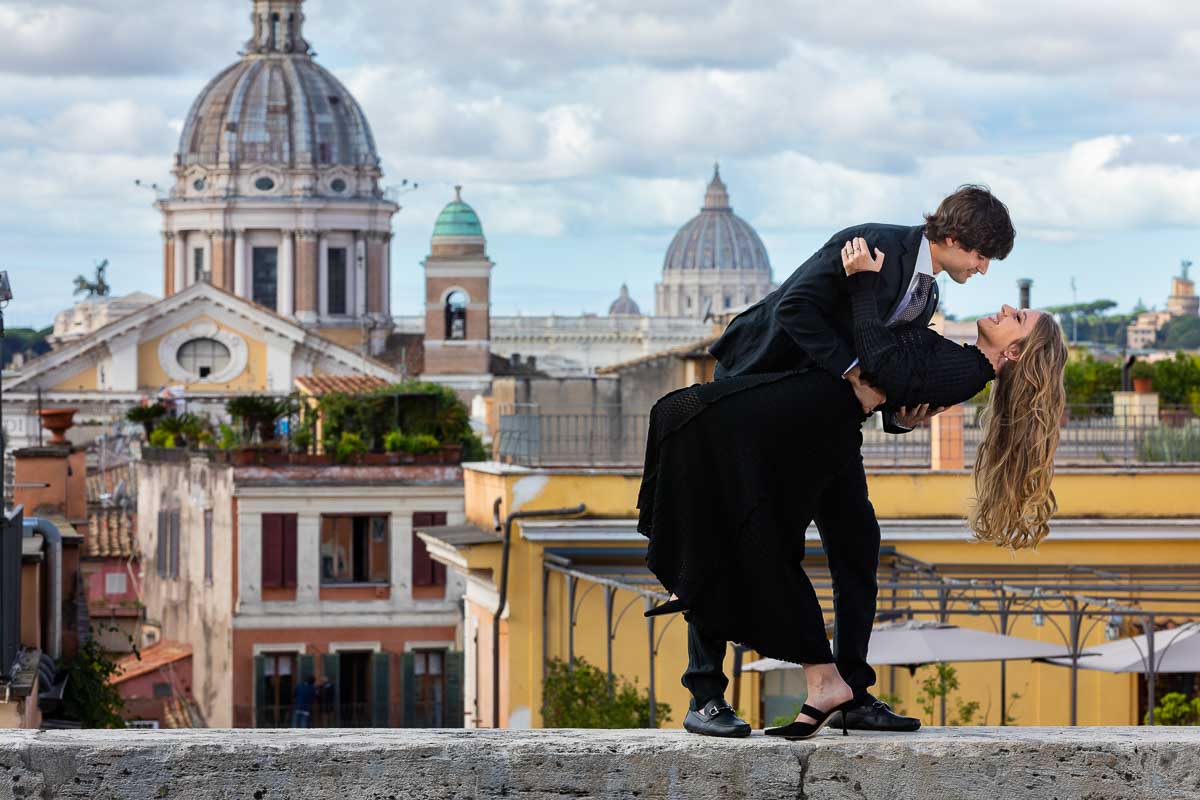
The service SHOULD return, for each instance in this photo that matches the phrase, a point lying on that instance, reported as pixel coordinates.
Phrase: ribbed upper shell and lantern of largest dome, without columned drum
(278, 110)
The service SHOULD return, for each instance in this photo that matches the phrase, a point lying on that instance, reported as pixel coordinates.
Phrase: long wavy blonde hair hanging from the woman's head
(1015, 465)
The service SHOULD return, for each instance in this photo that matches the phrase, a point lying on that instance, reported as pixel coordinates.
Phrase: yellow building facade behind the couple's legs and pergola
(1117, 522)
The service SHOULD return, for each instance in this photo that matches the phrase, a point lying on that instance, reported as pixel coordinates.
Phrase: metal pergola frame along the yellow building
(908, 588)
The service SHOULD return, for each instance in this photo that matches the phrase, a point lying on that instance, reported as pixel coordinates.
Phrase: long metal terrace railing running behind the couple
(1096, 436)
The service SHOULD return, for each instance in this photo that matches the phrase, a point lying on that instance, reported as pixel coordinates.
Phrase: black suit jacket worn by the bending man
(807, 322)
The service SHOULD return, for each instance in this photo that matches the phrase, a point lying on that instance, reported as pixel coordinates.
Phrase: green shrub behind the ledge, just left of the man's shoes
(585, 697)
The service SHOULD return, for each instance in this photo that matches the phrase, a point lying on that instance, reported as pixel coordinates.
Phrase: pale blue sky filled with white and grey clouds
(585, 131)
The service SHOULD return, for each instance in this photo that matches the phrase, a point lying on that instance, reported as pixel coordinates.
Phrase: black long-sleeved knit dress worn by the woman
(734, 471)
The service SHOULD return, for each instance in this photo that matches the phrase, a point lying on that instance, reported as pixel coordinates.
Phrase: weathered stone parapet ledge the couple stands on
(935, 763)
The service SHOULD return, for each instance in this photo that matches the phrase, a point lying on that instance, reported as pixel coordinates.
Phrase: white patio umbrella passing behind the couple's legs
(911, 643)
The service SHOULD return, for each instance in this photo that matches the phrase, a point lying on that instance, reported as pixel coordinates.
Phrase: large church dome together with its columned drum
(278, 194)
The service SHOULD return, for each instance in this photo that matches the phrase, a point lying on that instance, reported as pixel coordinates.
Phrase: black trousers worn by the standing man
(850, 537)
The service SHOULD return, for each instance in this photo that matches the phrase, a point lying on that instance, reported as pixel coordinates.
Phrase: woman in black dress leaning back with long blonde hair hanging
(734, 471)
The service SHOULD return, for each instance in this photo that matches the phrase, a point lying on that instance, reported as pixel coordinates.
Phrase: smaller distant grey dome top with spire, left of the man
(717, 239)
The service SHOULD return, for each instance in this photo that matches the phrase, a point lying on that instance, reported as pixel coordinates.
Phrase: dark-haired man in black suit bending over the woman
(807, 324)
